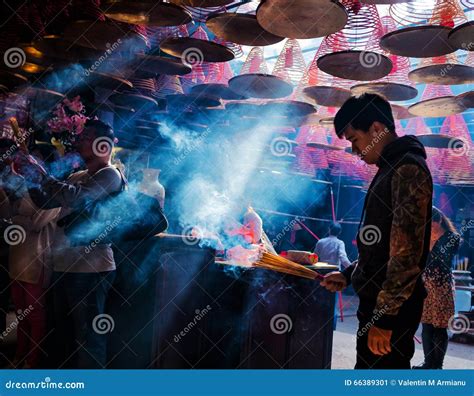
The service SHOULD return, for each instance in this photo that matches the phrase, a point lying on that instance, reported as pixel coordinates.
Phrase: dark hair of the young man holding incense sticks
(360, 112)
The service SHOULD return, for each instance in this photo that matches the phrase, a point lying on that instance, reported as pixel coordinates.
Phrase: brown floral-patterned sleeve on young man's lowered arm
(412, 191)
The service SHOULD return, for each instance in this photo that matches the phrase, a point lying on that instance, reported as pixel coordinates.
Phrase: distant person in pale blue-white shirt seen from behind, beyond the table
(331, 249)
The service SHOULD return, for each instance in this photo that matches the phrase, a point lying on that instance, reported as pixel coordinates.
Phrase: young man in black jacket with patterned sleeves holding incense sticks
(393, 238)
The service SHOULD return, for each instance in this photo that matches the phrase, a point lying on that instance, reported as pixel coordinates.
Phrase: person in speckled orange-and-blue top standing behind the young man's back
(438, 308)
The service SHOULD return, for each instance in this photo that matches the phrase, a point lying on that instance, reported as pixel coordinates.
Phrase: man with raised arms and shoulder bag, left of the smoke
(83, 275)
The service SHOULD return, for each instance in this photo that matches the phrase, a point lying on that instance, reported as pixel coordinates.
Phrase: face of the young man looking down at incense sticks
(367, 145)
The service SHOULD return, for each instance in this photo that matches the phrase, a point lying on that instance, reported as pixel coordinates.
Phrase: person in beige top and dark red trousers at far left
(30, 270)
